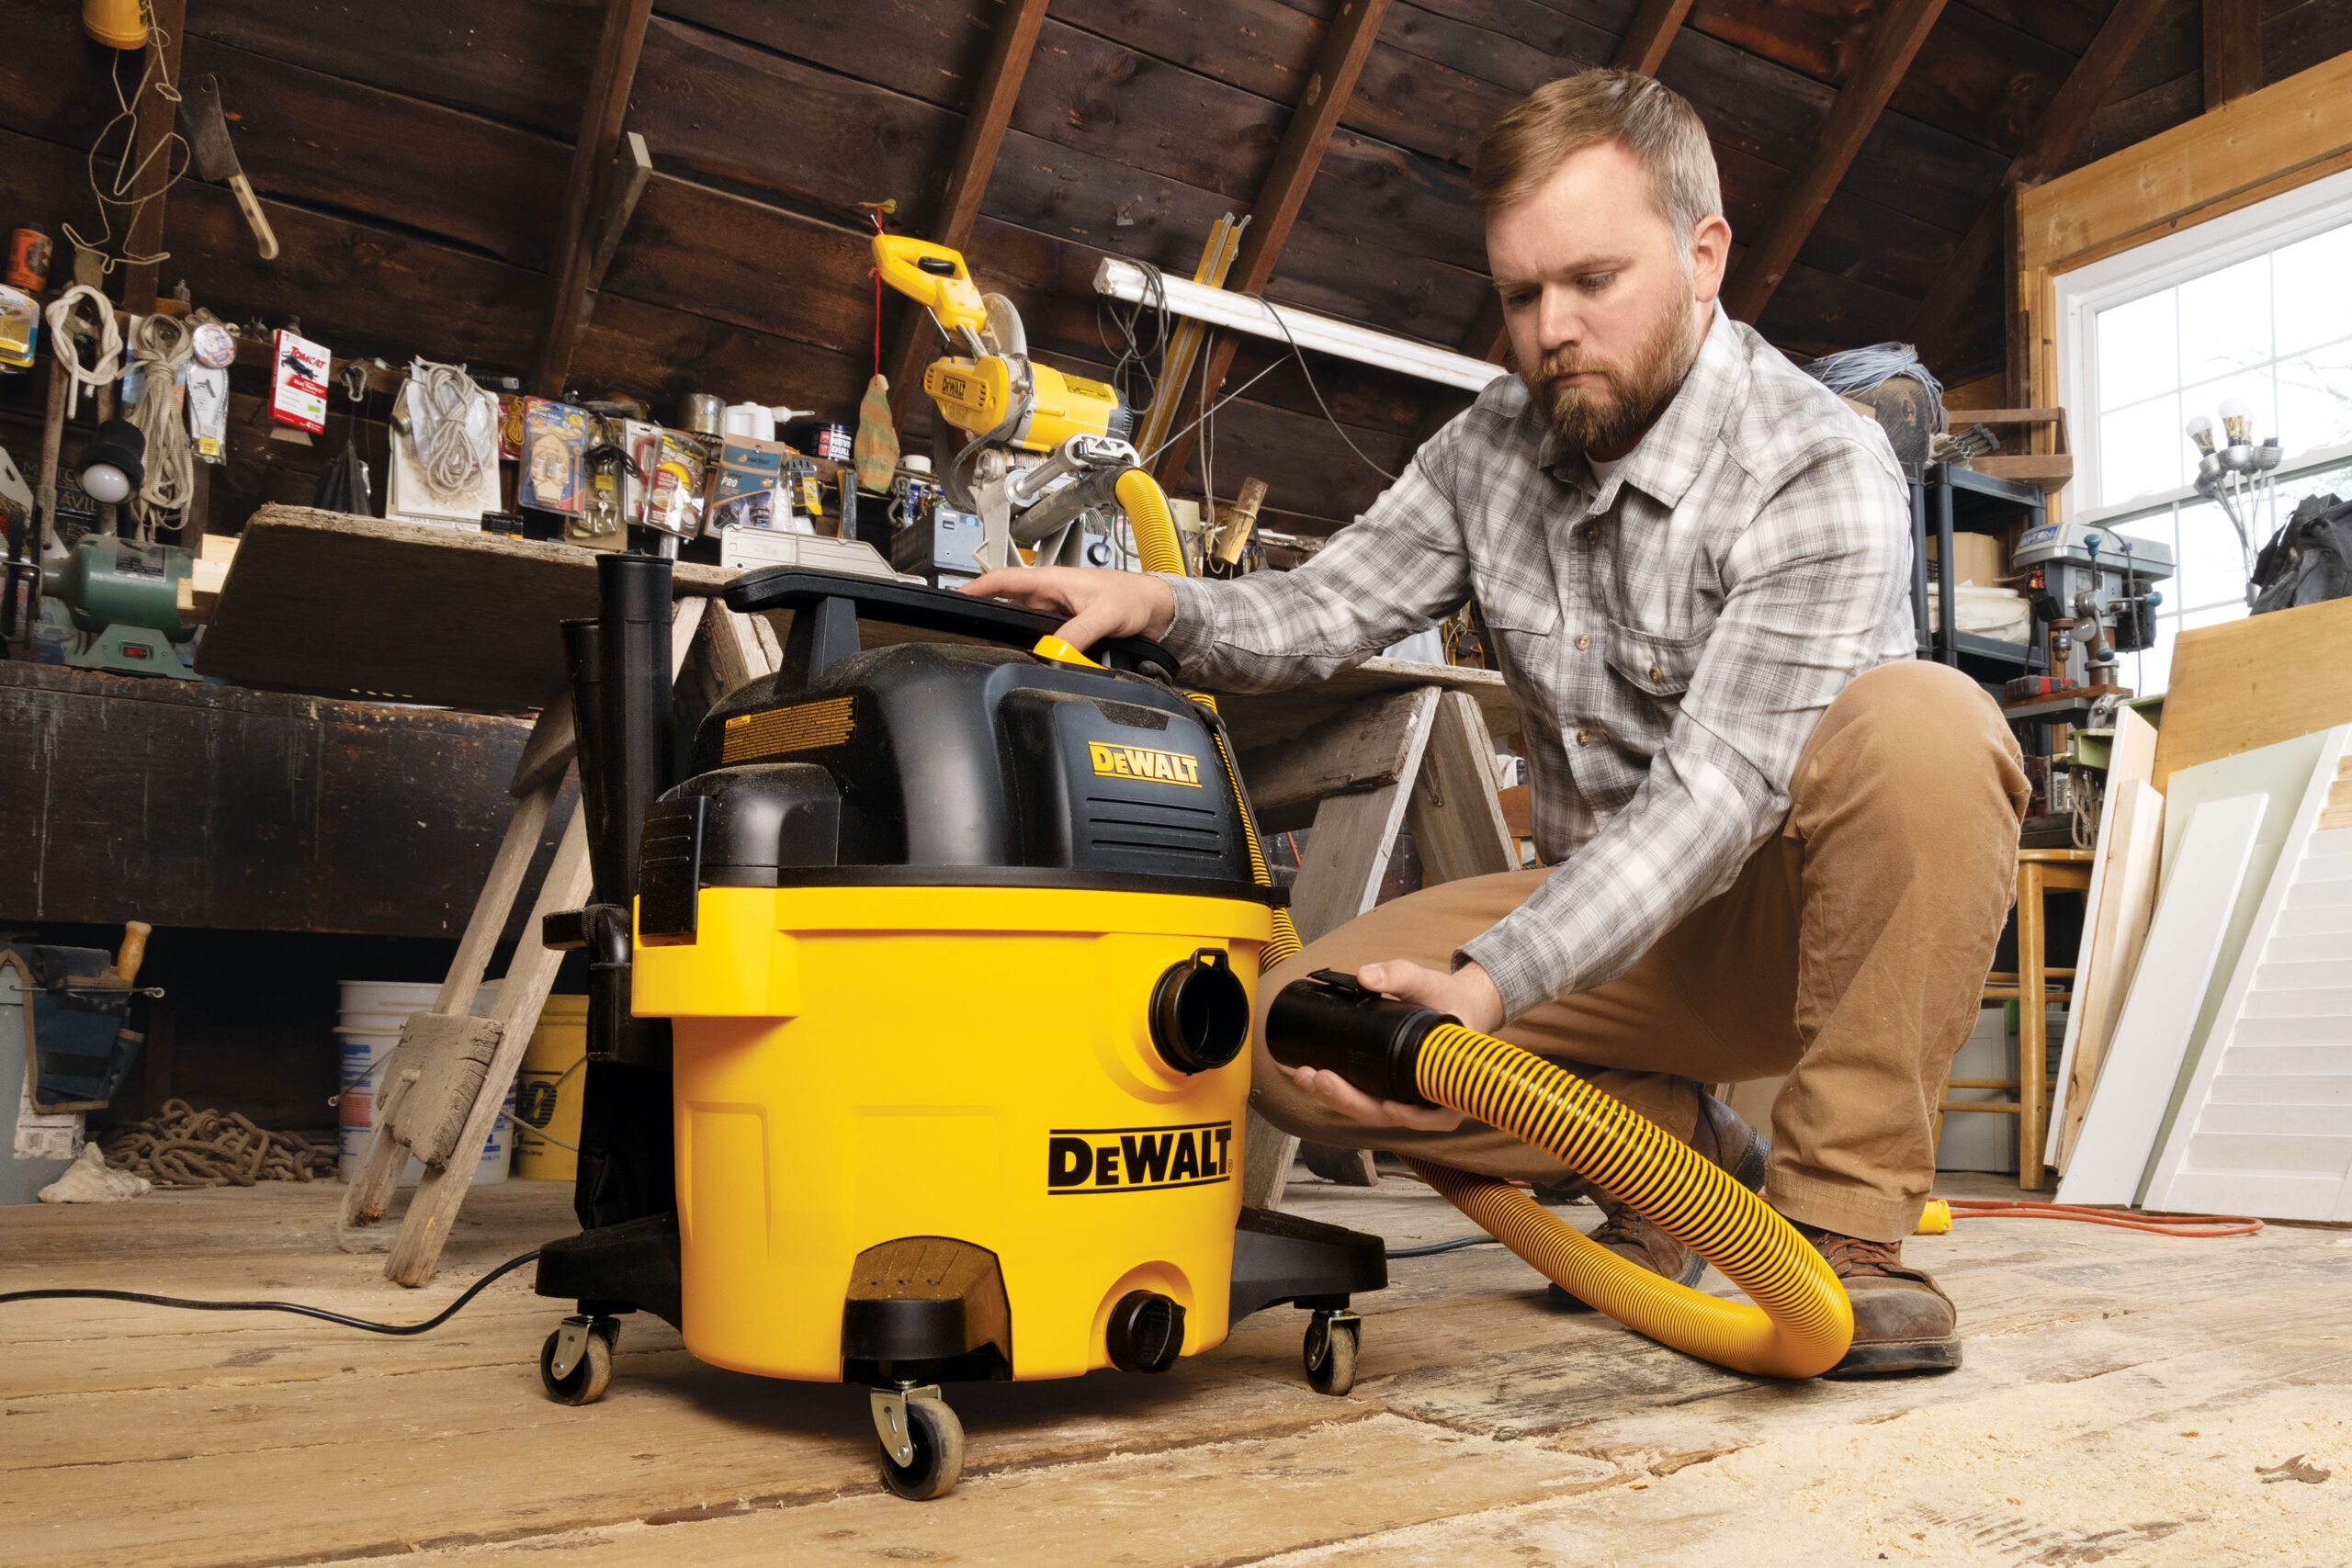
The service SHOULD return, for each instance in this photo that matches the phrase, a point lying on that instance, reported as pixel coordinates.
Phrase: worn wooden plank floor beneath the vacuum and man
(2120, 1402)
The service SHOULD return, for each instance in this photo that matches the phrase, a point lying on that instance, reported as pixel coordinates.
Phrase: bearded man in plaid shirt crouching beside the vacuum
(1775, 843)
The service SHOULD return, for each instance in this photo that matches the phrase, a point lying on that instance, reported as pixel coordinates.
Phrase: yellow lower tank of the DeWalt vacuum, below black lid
(963, 1066)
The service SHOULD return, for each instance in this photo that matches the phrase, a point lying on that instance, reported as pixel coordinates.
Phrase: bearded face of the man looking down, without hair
(1603, 300)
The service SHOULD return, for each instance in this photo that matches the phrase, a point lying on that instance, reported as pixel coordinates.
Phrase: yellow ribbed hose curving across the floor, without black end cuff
(1800, 1322)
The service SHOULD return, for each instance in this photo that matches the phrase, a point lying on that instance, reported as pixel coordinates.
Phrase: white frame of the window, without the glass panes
(2163, 264)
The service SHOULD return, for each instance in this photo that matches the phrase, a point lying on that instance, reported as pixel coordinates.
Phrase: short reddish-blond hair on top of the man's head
(1577, 112)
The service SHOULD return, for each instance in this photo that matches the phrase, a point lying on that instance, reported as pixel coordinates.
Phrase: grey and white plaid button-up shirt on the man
(1671, 636)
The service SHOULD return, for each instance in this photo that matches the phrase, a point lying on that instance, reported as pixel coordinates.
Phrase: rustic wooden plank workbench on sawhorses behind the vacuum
(338, 605)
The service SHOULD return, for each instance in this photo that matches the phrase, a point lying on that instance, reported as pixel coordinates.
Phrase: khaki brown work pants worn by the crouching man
(1850, 956)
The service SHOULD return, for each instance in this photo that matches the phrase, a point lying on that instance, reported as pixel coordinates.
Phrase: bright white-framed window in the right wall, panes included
(2254, 307)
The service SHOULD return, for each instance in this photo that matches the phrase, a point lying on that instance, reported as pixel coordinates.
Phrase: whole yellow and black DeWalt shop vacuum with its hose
(918, 1033)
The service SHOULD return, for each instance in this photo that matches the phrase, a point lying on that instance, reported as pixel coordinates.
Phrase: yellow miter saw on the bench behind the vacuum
(1048, 455)
